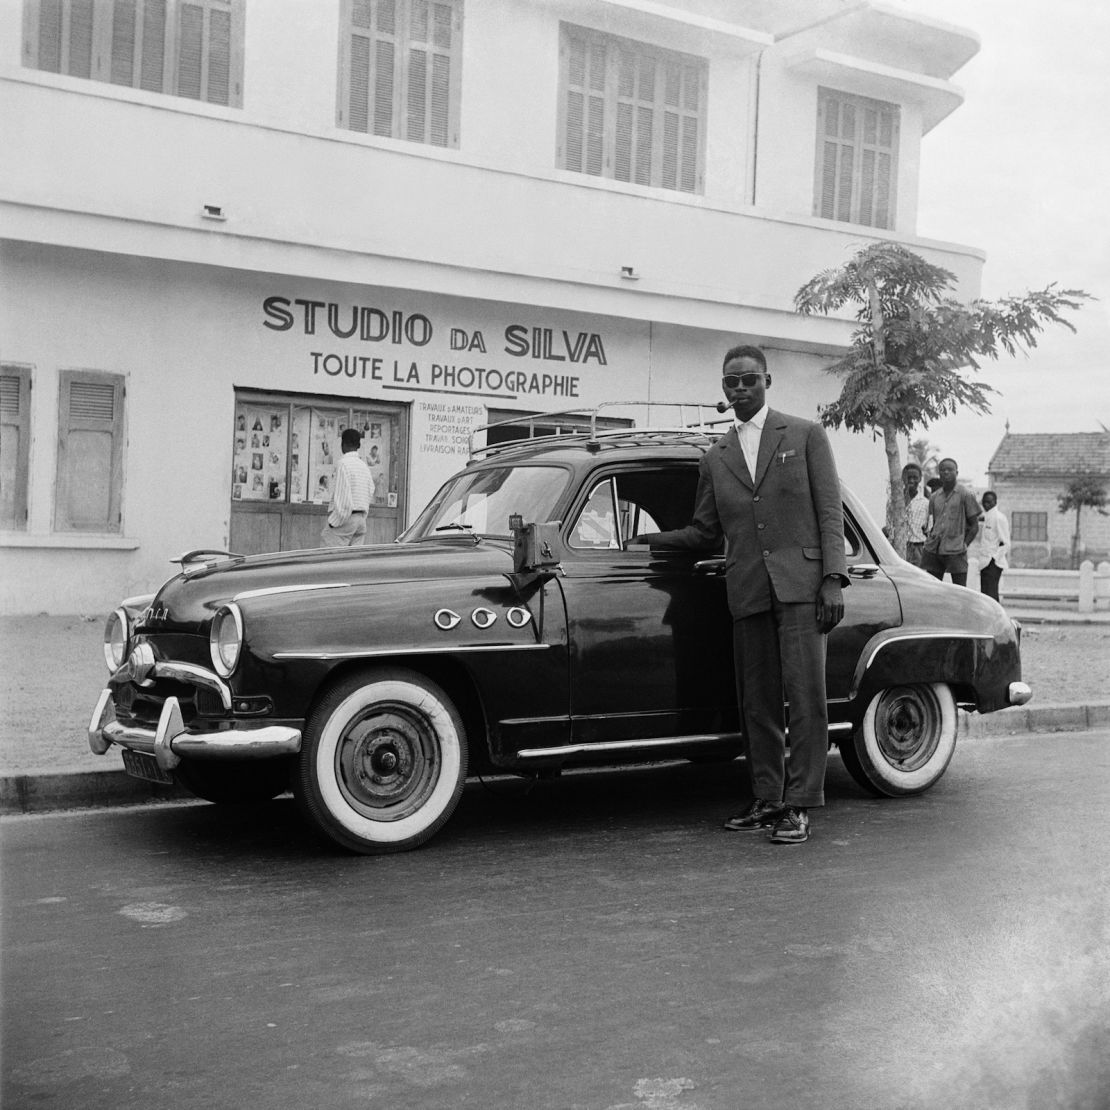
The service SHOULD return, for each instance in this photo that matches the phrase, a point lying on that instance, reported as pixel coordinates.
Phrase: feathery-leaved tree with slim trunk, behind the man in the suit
(913, 345)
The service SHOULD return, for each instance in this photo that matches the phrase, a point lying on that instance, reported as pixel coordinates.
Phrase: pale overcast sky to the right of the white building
(1022, 170)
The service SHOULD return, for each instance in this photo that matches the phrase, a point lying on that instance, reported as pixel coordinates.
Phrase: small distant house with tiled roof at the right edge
(1030, 472)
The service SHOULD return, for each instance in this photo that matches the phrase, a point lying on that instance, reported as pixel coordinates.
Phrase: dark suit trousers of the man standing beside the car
(775, 652)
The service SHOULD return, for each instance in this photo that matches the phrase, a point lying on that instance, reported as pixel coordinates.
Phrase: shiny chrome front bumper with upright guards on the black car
(171, 741)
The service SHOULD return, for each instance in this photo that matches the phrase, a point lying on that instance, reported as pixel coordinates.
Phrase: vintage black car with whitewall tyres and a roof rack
(511, 629)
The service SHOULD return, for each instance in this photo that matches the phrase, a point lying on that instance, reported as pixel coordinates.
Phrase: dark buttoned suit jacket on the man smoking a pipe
(785, 526)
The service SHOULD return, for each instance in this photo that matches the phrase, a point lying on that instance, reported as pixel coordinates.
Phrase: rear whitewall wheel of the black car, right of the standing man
(906, 740)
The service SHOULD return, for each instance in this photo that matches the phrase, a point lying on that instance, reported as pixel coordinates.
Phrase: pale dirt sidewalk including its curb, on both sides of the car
(53, 671)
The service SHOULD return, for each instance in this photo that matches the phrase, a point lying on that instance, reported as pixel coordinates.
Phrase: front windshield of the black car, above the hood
(481, 502)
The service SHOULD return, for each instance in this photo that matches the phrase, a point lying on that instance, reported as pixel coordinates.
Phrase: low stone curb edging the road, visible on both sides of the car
(43, 792)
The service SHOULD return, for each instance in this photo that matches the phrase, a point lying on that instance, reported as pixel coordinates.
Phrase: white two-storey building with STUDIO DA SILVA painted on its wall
(230, 228)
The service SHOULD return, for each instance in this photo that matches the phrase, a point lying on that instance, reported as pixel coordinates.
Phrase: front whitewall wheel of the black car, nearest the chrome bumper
(384, 762)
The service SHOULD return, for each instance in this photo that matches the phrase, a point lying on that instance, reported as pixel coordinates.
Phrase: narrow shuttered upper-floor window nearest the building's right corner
(857, 159)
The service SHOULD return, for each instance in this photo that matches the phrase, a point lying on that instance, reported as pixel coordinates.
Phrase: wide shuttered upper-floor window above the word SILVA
(631, 112)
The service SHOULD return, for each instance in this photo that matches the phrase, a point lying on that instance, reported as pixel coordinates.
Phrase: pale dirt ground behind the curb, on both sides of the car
(53, 671)
